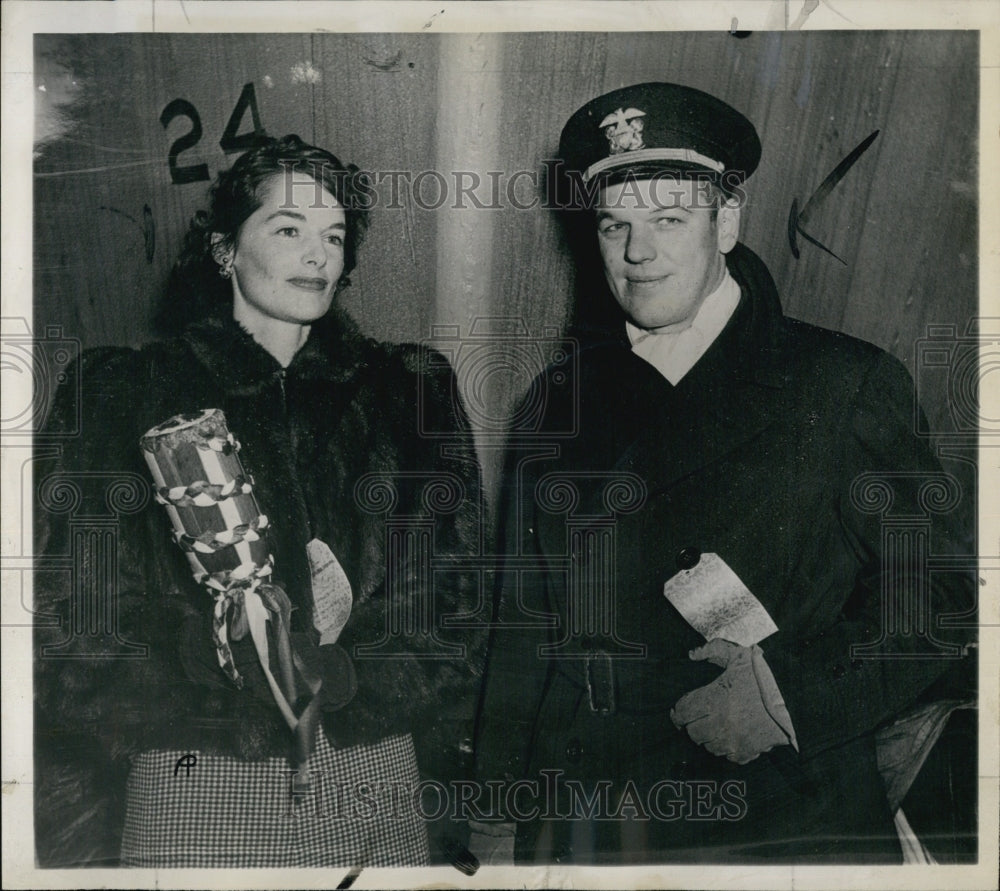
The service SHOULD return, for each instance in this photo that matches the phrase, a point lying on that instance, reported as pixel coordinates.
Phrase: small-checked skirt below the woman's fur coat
(217, 811)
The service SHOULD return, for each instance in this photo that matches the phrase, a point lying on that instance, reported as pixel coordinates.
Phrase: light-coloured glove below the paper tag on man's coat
(732, 716)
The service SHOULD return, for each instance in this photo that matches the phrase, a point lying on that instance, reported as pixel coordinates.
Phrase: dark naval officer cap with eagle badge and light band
(660, 129)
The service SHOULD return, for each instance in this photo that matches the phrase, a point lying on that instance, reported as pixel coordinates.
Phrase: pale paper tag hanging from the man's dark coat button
(713, 600)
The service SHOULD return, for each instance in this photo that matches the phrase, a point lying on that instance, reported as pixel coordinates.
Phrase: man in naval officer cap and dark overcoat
(699, 628)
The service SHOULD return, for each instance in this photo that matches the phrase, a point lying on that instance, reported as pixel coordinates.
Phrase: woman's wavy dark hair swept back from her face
(195, 289)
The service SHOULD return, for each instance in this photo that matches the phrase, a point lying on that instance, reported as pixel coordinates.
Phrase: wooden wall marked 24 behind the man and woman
(904, 219)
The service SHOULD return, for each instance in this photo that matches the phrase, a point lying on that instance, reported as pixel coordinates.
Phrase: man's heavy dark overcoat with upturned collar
(790, 452)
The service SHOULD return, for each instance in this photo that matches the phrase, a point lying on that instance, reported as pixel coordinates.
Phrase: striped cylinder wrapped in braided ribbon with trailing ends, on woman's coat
(199, 479)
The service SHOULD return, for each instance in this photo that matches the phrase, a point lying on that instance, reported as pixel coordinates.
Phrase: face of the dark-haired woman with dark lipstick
(289, 253)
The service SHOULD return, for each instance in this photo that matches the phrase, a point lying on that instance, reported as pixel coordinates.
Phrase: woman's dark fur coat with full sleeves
(142, 673)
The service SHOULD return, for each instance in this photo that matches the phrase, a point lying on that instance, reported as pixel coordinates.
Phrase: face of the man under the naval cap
(663, 248)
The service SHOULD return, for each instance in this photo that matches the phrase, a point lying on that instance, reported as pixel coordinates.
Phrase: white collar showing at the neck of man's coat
(675, 353)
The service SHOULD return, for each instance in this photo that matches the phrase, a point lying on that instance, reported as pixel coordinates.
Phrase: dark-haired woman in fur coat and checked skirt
(330, 435)
